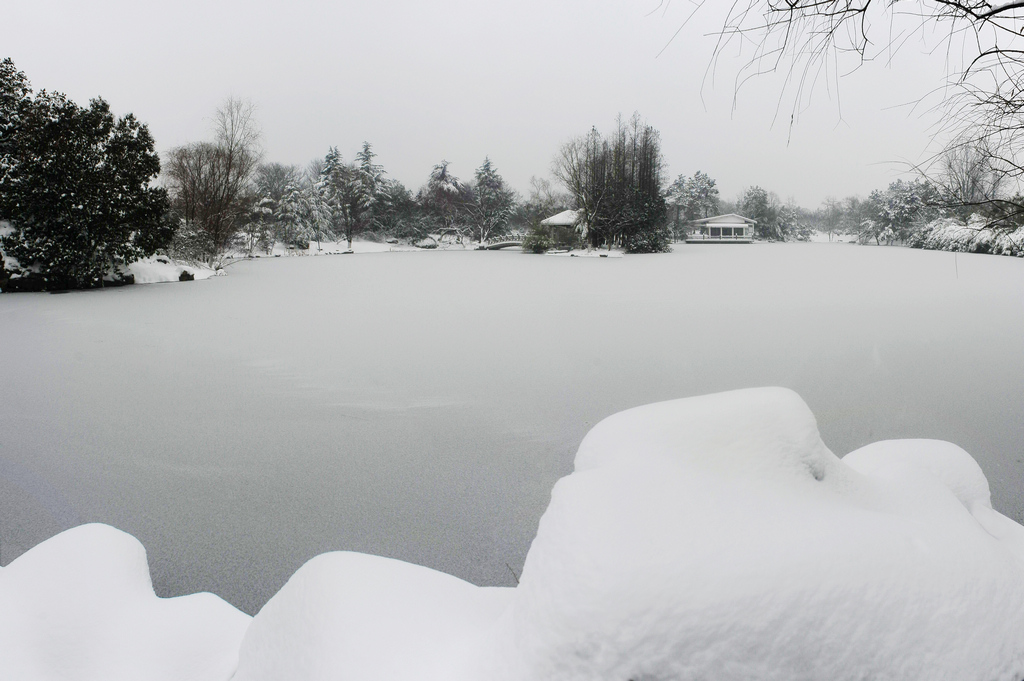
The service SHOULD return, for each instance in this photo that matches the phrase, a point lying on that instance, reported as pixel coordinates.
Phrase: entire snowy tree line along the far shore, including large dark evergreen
(82, 195)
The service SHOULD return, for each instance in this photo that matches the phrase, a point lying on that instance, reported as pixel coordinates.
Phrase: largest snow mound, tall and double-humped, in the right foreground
(718, 538)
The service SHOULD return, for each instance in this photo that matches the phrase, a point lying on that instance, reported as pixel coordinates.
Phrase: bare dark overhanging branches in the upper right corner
(982, 100)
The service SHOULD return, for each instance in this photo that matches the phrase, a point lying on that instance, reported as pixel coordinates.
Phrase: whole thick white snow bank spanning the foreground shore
(707, 538)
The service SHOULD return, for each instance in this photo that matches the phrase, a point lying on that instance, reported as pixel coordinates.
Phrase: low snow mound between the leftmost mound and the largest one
(355, 616)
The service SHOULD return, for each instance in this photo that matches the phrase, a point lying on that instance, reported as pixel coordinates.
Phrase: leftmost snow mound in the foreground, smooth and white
(80, 608)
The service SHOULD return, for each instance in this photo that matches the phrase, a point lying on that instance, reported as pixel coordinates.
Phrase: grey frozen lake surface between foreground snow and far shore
(421, 406)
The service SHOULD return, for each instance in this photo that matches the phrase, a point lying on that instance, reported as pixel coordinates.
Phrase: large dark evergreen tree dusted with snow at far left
(75, 187)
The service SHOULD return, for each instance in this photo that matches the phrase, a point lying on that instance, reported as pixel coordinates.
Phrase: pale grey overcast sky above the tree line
(460, 79)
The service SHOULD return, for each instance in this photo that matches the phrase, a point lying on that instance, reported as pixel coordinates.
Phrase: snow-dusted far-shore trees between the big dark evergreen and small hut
(224, 197)
